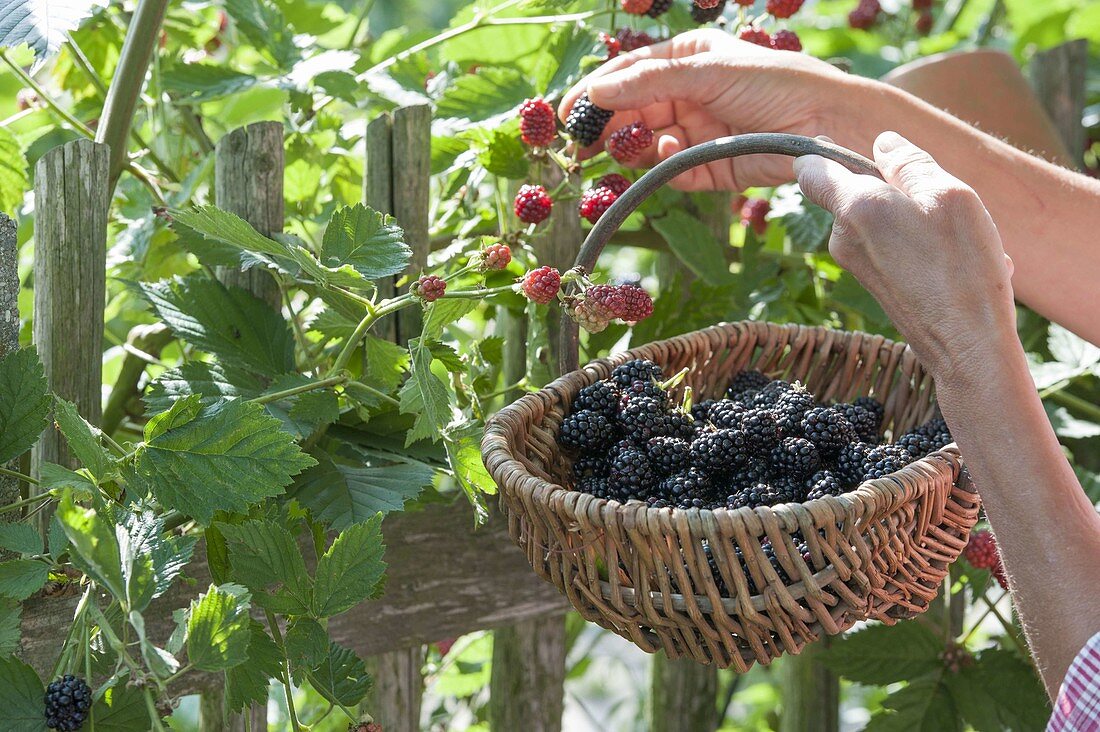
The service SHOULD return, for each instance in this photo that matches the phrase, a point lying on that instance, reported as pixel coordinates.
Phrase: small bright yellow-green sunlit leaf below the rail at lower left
(218, 629)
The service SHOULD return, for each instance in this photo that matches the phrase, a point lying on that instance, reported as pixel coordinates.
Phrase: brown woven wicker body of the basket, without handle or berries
(877, 553)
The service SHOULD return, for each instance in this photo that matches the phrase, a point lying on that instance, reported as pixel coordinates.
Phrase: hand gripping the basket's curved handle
(925, 245)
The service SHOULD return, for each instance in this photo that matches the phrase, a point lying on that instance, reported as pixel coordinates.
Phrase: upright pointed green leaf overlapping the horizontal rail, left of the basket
(351, 571)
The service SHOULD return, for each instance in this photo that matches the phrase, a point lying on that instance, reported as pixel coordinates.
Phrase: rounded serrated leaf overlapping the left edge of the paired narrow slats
(372, 244)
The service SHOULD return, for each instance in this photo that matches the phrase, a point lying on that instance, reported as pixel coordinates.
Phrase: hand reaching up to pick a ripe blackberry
(705, 85)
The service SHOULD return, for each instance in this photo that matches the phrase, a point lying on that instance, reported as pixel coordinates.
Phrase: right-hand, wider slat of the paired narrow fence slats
(412, 178)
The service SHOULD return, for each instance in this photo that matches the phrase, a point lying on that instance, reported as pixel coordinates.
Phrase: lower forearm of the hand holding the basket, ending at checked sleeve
(1048, 531)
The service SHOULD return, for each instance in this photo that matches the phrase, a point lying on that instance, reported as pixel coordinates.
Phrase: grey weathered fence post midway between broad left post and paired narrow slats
(249, 167)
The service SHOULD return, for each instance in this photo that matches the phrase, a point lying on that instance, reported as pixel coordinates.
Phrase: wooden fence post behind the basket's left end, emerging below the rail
(529, 674)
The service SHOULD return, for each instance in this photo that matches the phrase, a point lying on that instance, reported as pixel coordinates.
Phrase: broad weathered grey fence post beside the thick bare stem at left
(71, 203)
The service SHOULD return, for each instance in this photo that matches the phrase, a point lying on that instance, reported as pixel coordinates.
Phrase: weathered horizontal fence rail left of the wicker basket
(445, 578)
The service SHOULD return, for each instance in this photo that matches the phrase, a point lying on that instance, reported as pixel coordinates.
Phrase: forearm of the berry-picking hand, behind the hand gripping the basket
(1048, 216)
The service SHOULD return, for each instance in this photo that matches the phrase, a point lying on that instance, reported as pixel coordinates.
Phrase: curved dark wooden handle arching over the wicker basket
(743, 145)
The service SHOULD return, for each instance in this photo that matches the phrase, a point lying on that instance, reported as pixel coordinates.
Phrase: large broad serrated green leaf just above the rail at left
(230, 456)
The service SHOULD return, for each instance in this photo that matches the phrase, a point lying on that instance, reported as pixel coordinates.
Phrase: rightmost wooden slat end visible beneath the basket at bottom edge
(810, 693)
